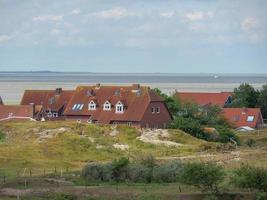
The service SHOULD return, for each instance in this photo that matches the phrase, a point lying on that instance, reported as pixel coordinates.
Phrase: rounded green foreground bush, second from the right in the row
(206, 177)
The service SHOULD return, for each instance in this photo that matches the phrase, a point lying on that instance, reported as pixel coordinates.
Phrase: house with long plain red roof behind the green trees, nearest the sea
(221, 99)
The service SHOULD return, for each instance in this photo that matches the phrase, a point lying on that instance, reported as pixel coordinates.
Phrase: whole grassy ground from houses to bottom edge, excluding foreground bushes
(41, 158)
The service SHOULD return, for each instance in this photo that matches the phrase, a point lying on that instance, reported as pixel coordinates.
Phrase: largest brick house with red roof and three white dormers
(132, 105)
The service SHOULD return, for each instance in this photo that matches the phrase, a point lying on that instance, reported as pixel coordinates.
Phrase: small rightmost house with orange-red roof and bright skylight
(244, 117)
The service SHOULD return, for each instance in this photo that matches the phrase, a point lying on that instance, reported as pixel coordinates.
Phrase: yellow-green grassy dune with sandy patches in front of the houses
(43, 146)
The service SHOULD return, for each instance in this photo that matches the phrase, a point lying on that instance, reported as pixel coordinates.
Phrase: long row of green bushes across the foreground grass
(207, 177)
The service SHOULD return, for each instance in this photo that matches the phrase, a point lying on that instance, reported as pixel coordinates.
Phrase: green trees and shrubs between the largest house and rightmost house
(193, 119)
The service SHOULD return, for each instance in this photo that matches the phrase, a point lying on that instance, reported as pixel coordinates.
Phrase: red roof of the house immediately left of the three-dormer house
(49, 99)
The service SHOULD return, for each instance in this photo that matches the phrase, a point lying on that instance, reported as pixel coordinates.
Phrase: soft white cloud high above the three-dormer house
(114, 13)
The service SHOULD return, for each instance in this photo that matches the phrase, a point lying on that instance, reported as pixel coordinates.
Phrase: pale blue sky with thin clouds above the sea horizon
(134, 36)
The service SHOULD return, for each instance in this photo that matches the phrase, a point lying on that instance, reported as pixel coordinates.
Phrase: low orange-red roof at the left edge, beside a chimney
(16, 112)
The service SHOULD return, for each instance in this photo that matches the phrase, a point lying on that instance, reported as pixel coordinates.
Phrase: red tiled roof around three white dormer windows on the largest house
(134, 98)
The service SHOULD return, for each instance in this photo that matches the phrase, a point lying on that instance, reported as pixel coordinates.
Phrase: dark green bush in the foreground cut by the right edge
(250, 177)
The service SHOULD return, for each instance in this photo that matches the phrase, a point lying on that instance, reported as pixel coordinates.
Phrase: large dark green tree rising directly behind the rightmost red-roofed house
(245, 96)
